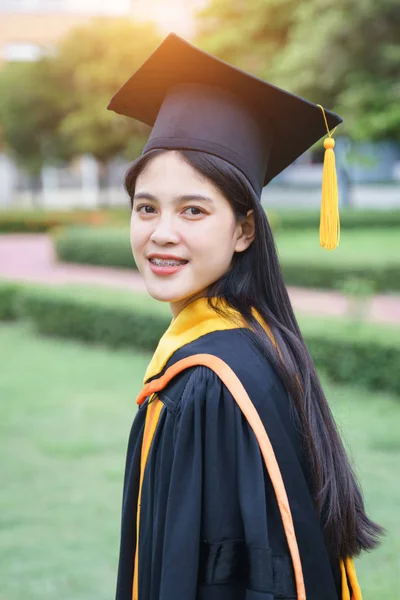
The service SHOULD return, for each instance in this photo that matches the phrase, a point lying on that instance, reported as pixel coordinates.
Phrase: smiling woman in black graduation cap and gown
(204, 516)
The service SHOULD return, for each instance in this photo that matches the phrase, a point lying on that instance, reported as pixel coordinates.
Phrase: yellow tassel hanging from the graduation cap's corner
(329, 230)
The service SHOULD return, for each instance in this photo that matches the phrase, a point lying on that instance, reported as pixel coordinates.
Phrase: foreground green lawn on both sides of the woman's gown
(65, 415)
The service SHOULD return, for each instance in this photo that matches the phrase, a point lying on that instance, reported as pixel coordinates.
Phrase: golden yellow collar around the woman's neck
(193, 321)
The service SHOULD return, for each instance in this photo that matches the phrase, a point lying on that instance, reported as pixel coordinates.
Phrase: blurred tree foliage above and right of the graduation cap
(339, 53)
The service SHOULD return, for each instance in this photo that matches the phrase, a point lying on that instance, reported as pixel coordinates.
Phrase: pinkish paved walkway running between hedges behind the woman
(28, 257)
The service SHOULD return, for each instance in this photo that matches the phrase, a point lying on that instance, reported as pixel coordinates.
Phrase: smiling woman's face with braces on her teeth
(183, 231)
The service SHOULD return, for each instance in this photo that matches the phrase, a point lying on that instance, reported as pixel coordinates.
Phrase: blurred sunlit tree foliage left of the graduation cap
(56, 108)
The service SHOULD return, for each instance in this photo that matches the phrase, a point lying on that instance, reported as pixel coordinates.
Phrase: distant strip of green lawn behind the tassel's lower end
(360, 247)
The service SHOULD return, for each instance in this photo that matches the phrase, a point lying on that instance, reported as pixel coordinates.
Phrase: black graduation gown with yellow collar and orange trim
(200, 519)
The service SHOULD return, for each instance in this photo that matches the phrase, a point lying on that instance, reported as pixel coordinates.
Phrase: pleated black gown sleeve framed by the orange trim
(215, 541)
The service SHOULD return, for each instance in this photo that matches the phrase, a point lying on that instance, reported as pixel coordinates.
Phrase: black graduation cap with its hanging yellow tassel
(195, 101)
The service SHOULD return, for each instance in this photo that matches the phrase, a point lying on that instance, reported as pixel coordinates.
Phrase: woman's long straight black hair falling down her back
(255, 280)
